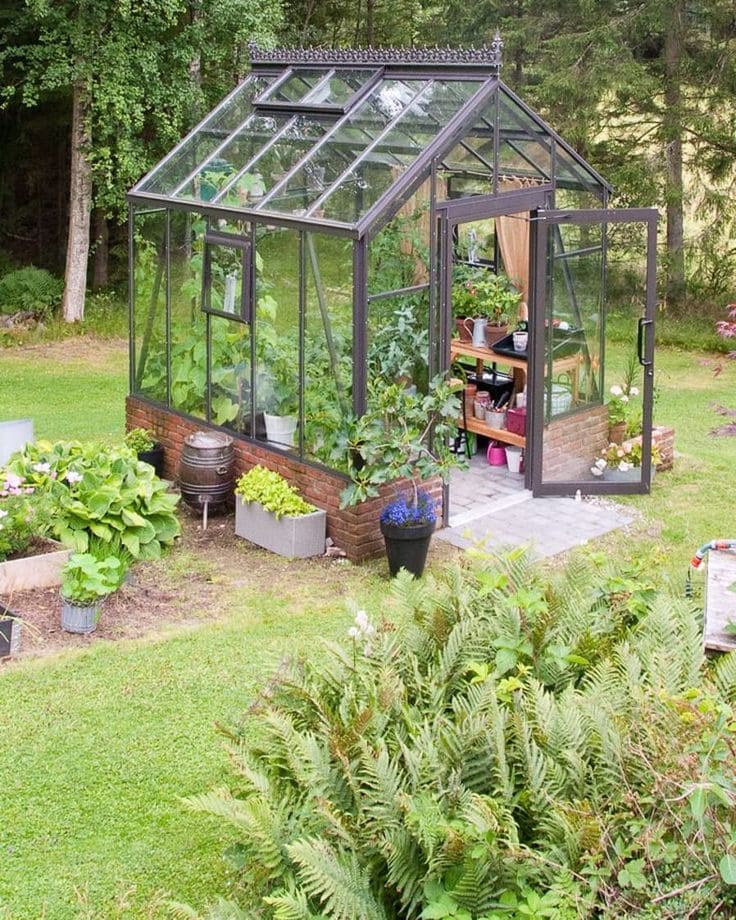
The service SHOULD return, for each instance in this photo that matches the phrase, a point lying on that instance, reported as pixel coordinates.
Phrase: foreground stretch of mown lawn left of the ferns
(99, 746)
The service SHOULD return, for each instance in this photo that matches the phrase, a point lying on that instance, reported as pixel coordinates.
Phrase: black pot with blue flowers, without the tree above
(407, 525)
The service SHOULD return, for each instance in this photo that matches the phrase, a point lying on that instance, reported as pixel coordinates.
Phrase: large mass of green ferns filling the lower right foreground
(508, 745)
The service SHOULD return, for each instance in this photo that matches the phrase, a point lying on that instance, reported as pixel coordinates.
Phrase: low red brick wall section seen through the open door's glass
(571, 444)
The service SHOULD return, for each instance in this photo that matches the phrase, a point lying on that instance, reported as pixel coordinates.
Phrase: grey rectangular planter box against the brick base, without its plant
(296, 537)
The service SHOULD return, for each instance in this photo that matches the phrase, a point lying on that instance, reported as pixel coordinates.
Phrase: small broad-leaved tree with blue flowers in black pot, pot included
(406, 437)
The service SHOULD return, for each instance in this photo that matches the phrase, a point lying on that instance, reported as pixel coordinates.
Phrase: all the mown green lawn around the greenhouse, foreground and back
(100, 745)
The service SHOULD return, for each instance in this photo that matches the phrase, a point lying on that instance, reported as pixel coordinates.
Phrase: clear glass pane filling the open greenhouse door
(592, 371)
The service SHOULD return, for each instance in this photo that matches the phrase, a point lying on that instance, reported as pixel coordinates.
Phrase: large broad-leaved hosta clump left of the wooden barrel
(100, 492)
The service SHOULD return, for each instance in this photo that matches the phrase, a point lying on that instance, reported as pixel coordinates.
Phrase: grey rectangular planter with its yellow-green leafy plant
(271, 513)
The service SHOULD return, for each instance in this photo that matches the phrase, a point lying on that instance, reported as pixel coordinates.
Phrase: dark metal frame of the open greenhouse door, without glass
(538, 307)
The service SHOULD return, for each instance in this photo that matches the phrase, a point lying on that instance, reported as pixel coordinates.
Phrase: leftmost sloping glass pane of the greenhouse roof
(222, 122)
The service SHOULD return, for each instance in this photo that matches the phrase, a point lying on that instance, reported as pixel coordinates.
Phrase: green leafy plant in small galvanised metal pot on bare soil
(86, 580)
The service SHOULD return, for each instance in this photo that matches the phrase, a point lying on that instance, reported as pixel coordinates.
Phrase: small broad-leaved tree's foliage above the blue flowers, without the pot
(404, 435)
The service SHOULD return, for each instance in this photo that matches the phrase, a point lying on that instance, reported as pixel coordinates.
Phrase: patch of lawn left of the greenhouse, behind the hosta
(70, 392)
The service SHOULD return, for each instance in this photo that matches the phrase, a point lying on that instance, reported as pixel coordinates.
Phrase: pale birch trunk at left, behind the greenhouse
(80, 206)
